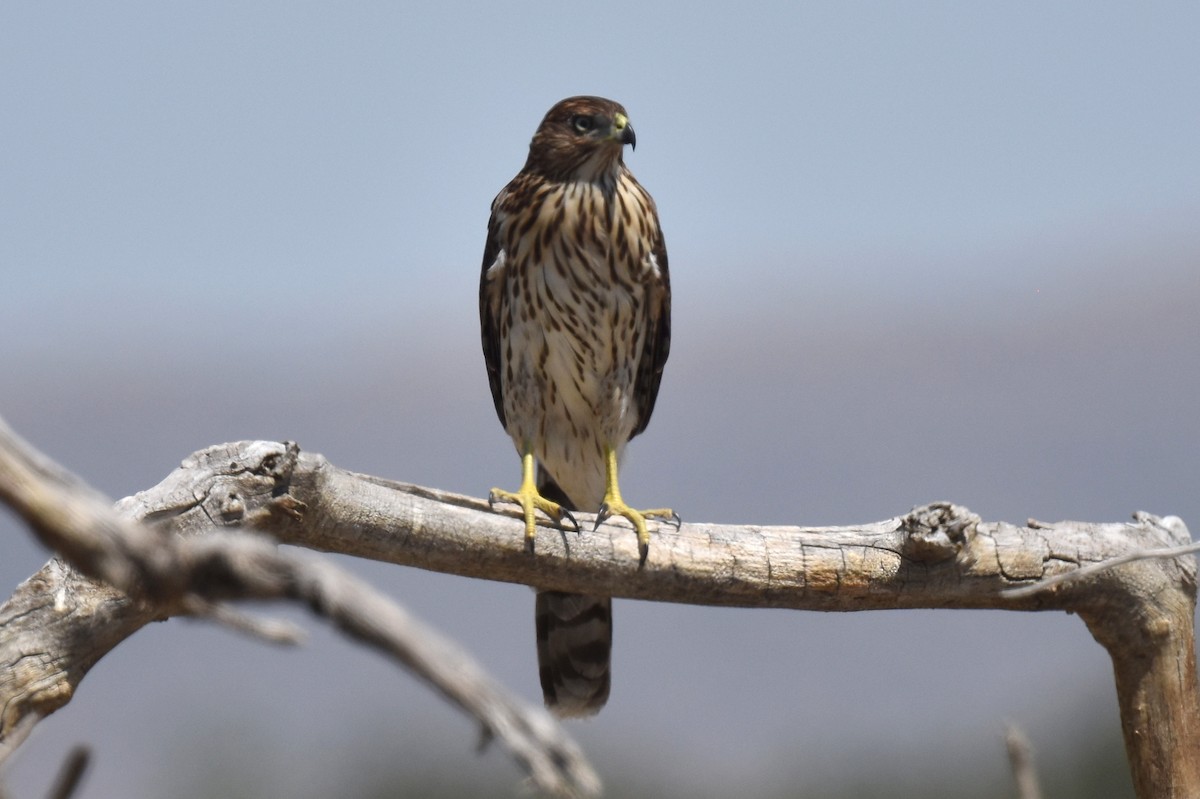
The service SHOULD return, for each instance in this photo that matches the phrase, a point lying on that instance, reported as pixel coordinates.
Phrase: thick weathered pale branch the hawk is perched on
(938, 556)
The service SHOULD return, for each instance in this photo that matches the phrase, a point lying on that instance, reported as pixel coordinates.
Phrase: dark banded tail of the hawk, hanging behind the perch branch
(574, 640)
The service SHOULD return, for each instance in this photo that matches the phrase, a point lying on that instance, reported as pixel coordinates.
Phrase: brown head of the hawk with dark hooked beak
(581, 139)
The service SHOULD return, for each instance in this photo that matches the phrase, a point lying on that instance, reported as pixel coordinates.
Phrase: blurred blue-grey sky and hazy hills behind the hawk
(920, 253)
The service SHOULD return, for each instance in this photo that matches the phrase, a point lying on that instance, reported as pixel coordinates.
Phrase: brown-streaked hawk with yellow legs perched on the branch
(575, 310)
